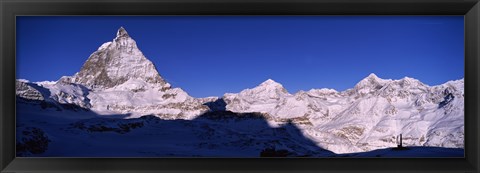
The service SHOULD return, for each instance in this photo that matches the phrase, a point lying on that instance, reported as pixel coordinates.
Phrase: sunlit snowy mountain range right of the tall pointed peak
(367, 117)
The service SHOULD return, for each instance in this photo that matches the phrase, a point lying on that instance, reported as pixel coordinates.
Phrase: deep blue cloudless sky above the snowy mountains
(212, 55)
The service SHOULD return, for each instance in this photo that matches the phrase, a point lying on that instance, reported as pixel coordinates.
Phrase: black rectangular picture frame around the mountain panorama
(9, 9)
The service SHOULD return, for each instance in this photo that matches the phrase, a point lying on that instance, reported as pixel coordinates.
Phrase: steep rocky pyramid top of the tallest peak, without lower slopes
(117, 62)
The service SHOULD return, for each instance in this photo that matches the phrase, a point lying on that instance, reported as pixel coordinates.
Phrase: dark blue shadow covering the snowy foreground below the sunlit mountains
(218, 133)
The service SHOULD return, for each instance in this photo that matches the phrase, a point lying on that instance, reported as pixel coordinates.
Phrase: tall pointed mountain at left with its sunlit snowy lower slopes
(119, 79)
